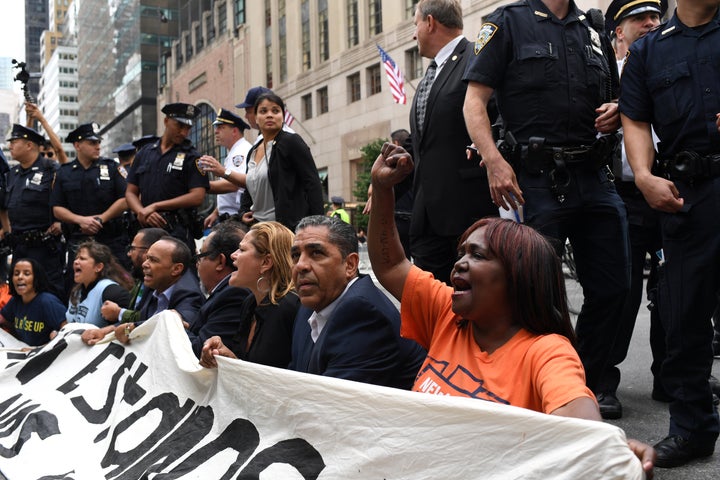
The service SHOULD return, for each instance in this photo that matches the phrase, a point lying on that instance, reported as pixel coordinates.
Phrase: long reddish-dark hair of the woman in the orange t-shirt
(535, 283)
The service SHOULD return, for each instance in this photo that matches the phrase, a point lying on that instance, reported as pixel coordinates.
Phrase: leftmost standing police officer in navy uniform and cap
(35, 232)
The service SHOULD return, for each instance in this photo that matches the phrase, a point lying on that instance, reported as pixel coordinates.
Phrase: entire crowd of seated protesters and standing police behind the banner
(526, 118)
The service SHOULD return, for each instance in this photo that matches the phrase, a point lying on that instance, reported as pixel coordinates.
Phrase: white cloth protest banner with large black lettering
(147, 410)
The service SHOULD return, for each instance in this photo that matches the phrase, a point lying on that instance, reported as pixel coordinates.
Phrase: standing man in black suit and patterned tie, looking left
(451, 192)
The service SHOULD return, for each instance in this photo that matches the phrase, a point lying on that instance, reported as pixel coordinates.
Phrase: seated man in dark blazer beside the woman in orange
(346, 328)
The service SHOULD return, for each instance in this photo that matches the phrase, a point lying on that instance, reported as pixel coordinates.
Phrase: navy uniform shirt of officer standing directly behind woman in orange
(549, 75)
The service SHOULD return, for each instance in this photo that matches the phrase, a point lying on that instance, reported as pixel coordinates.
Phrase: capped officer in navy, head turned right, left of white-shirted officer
(165, 182)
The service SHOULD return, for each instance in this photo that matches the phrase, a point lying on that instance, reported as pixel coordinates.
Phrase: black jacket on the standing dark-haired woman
(294, 180)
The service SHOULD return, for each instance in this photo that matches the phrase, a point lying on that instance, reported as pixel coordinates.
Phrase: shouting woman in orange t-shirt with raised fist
(504, 322)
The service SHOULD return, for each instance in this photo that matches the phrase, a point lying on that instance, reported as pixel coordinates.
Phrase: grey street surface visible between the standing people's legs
(643, 418)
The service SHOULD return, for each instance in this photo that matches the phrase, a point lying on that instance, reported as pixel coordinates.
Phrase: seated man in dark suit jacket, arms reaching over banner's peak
(170, 285)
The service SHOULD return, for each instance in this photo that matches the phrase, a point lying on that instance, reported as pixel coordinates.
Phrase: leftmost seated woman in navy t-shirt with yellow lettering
(32, 313)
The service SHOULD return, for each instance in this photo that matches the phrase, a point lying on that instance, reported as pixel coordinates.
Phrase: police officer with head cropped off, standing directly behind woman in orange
(554, 76)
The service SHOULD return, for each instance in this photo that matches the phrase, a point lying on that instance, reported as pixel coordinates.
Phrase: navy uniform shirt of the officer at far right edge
(671, 79)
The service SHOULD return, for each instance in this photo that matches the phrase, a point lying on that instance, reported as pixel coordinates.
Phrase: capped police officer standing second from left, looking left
(89, 198)
